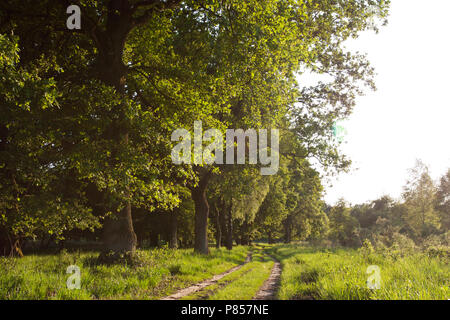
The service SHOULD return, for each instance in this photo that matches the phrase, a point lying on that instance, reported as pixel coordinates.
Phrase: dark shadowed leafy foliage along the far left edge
(38, 197)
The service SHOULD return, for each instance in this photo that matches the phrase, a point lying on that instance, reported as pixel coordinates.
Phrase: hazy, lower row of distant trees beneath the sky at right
(420, 218)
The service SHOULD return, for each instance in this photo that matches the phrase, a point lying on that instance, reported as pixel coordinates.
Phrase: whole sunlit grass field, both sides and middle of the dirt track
(307, 273)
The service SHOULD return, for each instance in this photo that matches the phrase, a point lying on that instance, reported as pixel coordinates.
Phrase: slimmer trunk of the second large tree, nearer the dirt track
(198, 194)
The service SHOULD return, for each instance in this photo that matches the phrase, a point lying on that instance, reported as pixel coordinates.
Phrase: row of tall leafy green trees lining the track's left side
(87, 114)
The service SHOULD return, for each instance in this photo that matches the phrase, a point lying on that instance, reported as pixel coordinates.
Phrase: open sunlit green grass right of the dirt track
(314, 273)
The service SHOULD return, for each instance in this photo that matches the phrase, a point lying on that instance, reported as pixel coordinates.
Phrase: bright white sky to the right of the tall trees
(408, 117)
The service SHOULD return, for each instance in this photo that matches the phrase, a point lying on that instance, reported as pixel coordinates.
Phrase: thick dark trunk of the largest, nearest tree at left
(118, 232)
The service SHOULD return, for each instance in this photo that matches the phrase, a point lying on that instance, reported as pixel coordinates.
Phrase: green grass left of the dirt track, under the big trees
(161, 273)
